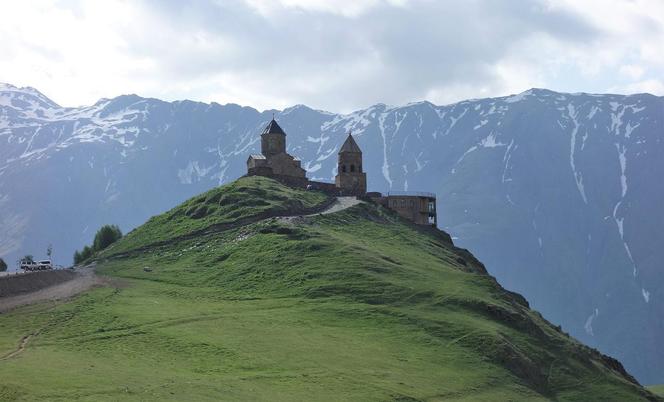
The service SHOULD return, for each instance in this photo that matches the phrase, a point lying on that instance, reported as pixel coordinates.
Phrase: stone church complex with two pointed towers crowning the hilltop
(351, 180)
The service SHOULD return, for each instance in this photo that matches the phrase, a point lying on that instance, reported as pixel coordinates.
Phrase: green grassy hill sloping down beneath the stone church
(216, 300)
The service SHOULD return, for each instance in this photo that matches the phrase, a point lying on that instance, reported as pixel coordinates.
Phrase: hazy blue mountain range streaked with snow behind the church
(559, 194)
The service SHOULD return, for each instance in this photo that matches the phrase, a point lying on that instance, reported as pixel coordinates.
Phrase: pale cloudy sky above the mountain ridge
(338, 56)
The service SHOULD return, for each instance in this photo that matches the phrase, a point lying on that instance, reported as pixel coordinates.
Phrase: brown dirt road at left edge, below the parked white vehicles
(84, 279)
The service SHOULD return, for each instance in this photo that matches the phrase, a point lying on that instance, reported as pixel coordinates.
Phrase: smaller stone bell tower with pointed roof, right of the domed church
(350, 179)
